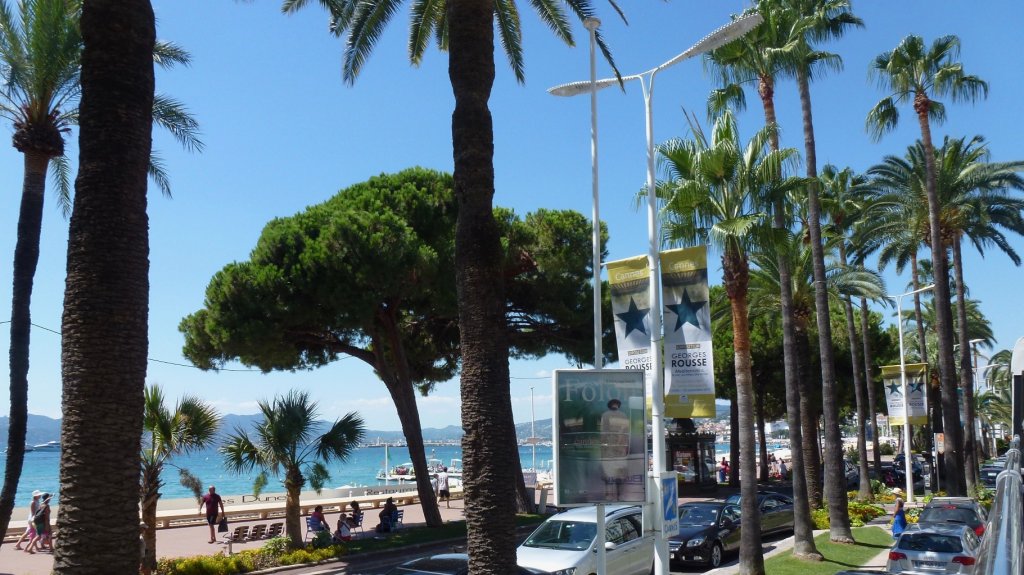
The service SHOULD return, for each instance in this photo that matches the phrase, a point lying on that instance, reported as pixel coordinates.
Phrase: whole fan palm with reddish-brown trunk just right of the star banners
(715, 194)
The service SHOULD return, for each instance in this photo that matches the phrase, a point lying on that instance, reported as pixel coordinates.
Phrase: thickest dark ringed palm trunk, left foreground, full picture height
(106, 317)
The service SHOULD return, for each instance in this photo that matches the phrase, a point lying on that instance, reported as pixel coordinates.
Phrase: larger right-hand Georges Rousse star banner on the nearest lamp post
(690, 370)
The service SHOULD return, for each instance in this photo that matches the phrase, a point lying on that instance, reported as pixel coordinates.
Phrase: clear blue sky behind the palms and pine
(284, 132)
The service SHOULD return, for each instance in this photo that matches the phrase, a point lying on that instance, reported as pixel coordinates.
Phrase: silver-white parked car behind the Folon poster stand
(565, 545)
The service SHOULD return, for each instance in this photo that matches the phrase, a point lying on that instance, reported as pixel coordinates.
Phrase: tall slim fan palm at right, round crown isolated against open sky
(914, 73)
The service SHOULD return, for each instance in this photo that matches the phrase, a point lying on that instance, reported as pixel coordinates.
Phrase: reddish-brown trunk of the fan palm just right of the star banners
(737, 275)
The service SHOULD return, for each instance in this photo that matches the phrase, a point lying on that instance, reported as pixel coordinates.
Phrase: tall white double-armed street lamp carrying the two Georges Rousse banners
(717, 38)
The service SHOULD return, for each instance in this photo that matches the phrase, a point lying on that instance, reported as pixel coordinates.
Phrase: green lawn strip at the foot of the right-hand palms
(871, 542)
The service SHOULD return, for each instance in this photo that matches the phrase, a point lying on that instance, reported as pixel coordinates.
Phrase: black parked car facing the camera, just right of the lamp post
(708, 530)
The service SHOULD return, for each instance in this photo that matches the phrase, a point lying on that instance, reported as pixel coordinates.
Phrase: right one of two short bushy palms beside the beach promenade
(286, 444)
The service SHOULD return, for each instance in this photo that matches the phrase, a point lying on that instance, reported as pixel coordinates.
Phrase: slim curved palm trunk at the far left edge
(30, 225)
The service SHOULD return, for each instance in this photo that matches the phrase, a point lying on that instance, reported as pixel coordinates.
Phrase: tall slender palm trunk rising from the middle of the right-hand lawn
(839, 523)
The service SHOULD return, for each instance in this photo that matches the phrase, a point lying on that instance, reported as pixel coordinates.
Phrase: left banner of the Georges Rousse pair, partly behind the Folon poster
(629, 282)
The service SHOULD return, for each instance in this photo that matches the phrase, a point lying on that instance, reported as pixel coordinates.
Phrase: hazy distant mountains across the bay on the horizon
(42, 429)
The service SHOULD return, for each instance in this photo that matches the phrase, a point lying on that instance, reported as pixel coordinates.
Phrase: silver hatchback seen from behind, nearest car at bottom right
(935, 549)
